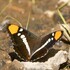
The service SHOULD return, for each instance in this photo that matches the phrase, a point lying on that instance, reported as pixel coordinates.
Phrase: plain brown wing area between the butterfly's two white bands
(32, 39)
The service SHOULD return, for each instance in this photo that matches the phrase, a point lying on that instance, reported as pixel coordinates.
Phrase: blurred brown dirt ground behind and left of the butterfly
(34, 13)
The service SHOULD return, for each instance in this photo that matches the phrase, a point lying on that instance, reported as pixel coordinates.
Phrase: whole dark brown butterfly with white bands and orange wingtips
(30, 47)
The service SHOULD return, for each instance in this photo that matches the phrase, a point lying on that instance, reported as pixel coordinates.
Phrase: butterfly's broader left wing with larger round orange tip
(23, 40)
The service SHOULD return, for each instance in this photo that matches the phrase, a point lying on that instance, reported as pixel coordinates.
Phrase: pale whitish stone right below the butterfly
(53, 63)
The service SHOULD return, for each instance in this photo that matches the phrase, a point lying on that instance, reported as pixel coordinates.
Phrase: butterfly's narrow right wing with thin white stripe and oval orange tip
(46, 43)
